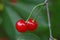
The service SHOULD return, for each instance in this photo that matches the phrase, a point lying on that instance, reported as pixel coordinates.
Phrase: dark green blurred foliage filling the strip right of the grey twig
(55, 17)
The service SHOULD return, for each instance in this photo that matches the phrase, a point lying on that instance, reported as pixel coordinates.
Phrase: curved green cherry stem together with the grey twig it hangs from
(49, 23)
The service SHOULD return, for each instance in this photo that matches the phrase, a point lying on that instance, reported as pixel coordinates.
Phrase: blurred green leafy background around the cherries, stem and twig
(13, 10)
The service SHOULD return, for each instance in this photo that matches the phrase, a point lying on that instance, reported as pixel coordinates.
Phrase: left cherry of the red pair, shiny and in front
(21, 26)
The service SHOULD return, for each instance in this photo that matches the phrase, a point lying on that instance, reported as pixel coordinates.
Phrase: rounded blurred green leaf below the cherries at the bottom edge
(28, 36)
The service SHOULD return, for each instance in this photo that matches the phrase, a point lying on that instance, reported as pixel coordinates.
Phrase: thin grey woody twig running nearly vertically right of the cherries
(49, 23)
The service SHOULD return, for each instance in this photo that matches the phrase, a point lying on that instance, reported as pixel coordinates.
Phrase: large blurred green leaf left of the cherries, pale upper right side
(10, 18)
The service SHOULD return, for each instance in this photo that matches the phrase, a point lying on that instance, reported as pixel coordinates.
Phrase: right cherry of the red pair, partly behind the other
(31, 24)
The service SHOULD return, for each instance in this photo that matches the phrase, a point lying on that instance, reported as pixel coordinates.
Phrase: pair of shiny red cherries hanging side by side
(22, 26)
